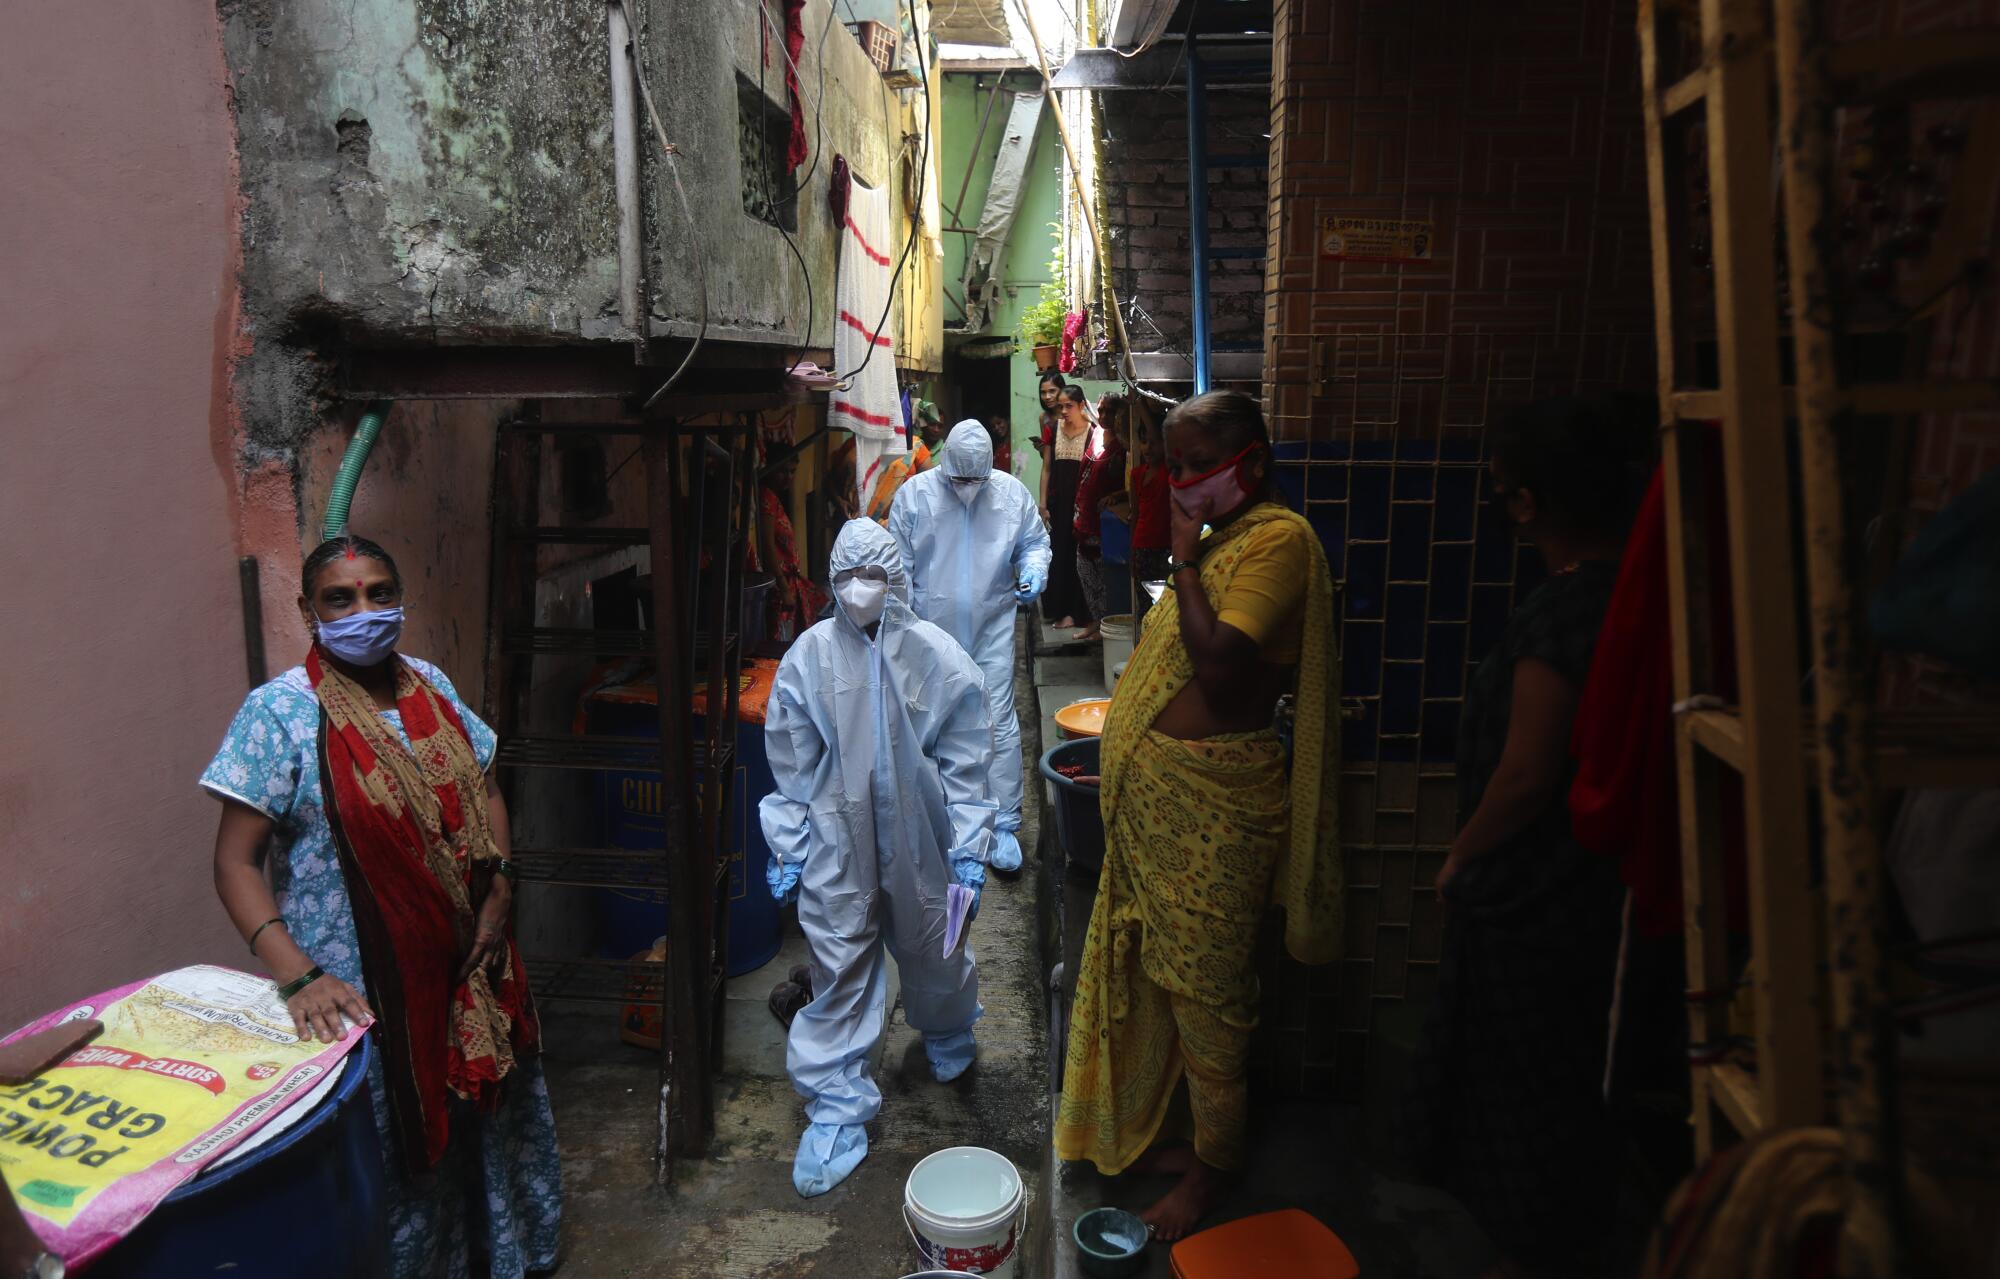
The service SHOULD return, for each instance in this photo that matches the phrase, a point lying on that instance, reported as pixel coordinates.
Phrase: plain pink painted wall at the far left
(121, 635)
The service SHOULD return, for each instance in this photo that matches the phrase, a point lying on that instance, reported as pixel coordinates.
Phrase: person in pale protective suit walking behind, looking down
(977, 551)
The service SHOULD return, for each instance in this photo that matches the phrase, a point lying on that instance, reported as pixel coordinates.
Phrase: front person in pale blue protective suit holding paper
(881, 756)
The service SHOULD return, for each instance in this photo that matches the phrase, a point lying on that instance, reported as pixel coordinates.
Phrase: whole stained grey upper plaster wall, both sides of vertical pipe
(443, 169)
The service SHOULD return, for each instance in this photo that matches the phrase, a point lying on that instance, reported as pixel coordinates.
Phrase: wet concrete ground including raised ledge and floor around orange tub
(737, 1216)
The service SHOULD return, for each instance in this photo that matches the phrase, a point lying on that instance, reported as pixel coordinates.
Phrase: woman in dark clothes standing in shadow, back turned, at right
(1505, 1104)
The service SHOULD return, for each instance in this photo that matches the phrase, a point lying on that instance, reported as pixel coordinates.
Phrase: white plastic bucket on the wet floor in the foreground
(963, 1208)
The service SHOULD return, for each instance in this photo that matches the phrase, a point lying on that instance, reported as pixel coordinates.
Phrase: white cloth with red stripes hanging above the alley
(871, 405)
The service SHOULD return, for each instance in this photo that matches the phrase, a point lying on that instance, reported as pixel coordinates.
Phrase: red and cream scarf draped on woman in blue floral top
(411, 824)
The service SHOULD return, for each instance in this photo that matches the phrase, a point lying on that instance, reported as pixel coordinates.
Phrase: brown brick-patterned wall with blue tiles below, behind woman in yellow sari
(1515, 133)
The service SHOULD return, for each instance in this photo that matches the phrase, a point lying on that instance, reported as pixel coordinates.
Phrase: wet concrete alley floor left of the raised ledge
(737, 1214)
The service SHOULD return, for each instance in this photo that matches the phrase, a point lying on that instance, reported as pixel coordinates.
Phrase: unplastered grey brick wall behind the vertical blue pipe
(1145, 193)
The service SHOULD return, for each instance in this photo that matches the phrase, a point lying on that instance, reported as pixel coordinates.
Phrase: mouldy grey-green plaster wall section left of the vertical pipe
(421, 169)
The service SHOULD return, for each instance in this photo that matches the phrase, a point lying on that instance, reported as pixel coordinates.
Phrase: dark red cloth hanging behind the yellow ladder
(1627, 796)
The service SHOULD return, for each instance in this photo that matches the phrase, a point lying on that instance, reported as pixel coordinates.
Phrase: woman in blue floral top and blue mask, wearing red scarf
(367, 776)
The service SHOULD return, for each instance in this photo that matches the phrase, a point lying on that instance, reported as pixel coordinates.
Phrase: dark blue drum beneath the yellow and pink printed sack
(307, 1206)
